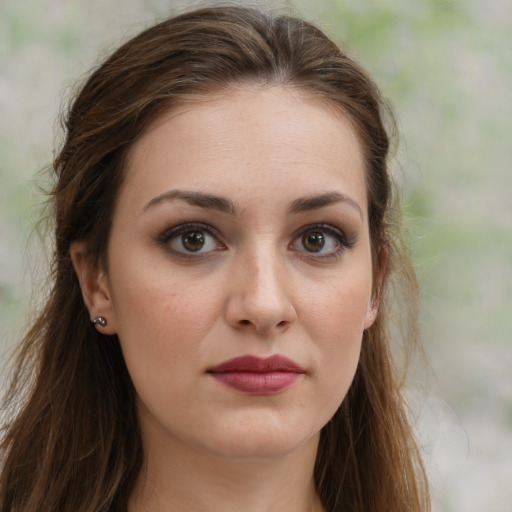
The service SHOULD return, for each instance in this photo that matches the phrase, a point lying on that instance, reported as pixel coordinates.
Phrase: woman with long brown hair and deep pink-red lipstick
(217, 333)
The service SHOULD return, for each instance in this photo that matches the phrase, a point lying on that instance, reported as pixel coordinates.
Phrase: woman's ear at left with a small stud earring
(95, 287)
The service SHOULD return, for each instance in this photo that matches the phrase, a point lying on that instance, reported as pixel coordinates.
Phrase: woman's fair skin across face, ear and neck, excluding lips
(253, 288)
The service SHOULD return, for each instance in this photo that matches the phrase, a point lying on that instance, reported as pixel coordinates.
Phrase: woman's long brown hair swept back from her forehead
(72, 442)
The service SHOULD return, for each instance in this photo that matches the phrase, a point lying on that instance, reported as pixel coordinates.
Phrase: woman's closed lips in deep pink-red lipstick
(257, 376)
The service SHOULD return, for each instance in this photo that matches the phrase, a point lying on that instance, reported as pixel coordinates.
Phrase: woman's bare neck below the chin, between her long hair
(184, 480)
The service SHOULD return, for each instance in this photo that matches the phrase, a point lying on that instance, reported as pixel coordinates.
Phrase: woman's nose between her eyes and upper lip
(260, 298)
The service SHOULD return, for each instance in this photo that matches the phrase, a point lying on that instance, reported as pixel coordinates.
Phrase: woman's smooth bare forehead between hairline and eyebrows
(248, 139)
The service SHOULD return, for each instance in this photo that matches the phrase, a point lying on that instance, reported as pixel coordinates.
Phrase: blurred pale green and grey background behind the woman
(446, 67)
